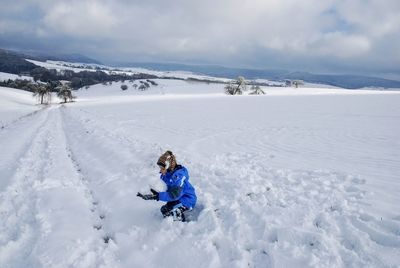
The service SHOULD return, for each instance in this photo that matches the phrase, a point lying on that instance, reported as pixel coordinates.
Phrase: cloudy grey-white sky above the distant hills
(340, 36)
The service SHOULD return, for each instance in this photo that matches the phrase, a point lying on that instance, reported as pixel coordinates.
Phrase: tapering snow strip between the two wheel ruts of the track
(64, 201)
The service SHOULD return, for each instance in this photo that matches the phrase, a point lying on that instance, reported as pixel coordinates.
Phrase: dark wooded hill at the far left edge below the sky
(11, 62)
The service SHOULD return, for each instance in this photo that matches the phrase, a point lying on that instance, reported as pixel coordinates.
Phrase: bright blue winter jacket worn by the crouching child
(178, 187)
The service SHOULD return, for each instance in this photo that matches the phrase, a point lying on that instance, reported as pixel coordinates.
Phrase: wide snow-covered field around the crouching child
(295, 178)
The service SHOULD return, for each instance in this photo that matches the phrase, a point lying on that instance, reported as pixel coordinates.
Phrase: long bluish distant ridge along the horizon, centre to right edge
(344, 81)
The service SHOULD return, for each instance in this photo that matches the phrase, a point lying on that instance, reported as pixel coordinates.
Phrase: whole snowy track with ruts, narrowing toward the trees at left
(42, 206)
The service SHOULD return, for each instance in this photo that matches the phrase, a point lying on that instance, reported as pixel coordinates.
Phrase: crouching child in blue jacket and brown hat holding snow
(180, 194)
